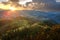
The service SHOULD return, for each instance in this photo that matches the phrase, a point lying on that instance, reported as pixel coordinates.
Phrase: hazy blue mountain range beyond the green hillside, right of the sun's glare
(42, 16)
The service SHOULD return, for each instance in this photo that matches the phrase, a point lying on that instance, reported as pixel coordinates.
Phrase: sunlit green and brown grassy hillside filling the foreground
(21, 28)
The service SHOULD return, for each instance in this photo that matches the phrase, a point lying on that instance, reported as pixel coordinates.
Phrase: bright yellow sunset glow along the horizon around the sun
(12, 7)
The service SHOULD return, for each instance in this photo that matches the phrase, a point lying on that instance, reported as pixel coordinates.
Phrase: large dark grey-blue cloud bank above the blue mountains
(49, 5)
